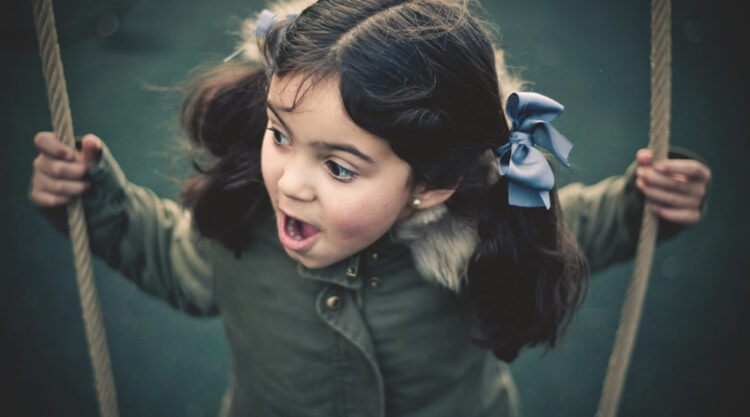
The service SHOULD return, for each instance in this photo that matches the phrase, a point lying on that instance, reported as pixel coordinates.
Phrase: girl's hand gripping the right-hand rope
(674, 187)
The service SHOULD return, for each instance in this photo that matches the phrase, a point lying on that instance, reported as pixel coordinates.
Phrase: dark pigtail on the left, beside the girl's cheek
(224, 115)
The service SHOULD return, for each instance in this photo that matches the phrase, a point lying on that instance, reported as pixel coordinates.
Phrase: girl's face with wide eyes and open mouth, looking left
(334, 187)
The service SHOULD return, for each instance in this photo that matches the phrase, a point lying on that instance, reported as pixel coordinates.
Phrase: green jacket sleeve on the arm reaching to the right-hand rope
(606, 217)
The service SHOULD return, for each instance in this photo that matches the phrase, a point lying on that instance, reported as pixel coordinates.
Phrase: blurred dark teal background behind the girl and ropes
(592, 56)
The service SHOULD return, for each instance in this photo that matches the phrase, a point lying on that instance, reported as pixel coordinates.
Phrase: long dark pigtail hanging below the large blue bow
(527, 276)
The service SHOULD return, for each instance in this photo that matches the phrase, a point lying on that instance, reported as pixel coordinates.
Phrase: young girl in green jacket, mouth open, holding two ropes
(372, 229)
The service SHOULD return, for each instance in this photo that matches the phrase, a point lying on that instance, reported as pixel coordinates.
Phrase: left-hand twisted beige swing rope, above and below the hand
(49, 51)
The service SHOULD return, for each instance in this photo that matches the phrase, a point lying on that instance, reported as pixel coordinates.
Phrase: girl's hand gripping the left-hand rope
(59, 170)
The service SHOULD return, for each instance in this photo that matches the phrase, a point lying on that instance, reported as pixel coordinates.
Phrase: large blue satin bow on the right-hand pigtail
(529, 173)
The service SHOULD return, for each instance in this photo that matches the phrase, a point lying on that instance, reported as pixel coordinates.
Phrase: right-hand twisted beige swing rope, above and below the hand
(661, 91)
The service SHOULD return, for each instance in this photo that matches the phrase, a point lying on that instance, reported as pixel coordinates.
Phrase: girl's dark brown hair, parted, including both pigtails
(421, 75)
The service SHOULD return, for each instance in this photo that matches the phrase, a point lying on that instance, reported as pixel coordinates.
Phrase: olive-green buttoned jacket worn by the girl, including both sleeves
(368, 336)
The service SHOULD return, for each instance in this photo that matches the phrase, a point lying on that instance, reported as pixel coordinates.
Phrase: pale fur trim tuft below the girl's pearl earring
(441, 245)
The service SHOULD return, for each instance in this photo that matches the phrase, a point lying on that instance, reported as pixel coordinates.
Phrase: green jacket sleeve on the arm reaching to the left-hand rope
(152, 241)
